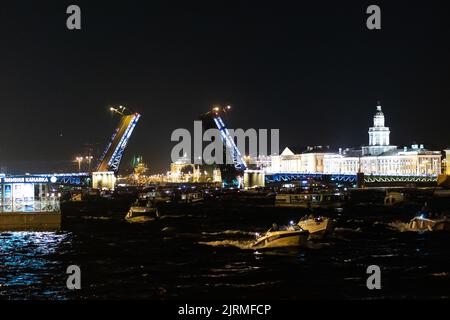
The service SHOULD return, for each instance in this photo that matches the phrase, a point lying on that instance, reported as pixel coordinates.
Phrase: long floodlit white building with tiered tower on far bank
(378, 158)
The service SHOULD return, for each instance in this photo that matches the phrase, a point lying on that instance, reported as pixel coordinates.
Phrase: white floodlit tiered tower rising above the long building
(378, 135)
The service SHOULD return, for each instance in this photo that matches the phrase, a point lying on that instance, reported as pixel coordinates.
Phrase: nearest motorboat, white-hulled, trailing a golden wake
(291, 236)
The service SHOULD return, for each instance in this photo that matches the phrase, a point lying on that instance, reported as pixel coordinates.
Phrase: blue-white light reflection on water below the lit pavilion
(28, 263)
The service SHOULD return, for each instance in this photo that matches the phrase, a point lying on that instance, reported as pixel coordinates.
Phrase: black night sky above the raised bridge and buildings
(312, 70)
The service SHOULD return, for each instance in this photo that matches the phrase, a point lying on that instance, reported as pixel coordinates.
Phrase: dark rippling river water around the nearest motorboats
(201, 253)
